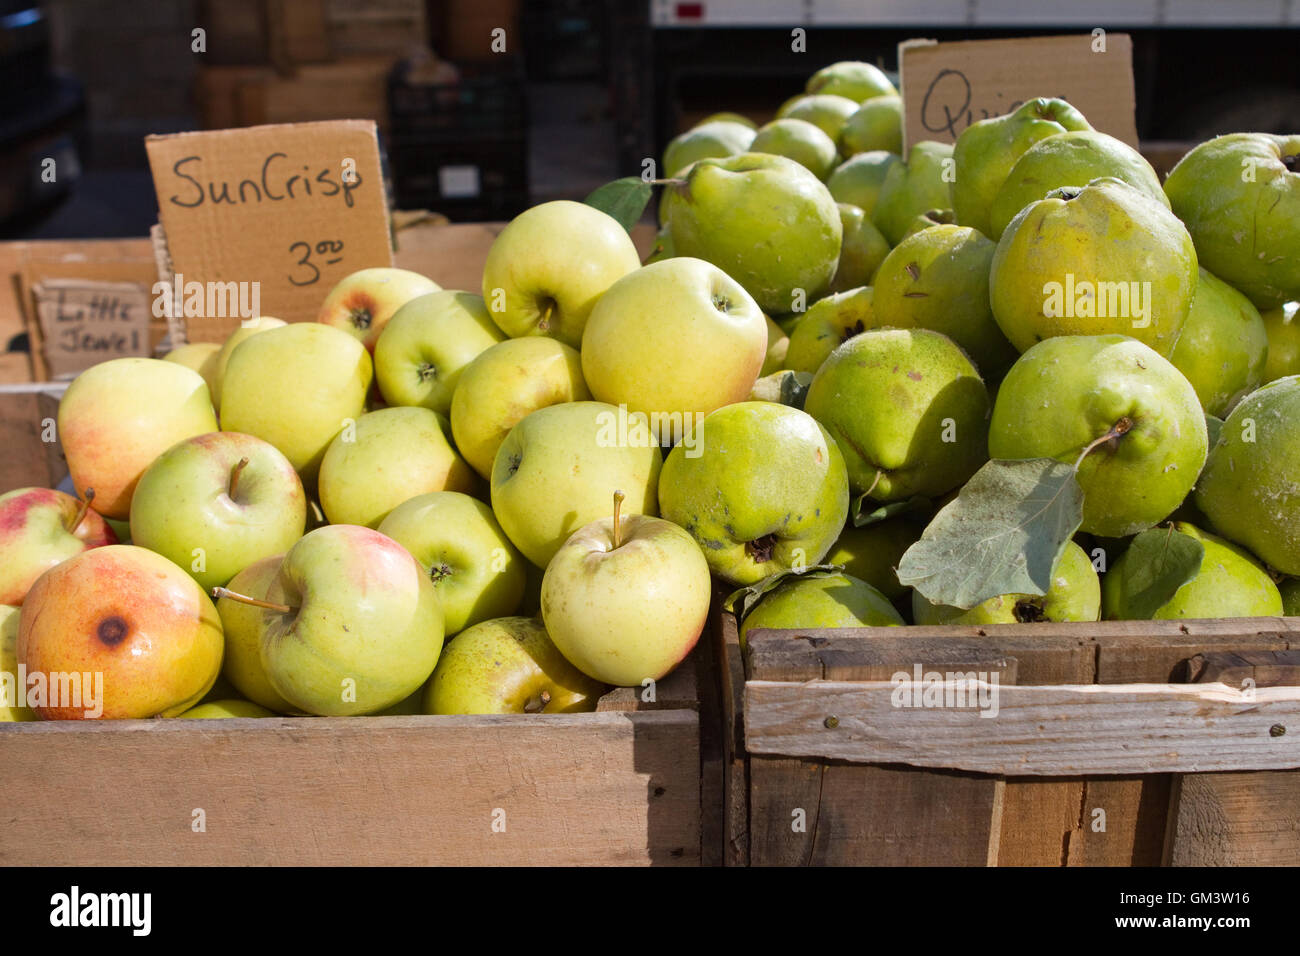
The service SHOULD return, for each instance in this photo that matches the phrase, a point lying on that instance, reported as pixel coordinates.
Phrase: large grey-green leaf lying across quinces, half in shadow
(1003, 535)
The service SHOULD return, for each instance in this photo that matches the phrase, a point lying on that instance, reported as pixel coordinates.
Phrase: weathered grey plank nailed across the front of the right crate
(1056, 730)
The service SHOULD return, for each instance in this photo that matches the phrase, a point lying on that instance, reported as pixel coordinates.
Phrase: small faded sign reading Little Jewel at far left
(84, 323)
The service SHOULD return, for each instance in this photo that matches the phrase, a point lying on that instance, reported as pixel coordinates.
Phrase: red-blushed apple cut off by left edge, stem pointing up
(40, 529)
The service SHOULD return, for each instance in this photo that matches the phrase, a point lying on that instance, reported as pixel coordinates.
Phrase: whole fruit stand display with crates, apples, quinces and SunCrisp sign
(967, 475)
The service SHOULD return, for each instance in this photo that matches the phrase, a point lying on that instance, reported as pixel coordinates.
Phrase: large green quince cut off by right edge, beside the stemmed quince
(1249, 488)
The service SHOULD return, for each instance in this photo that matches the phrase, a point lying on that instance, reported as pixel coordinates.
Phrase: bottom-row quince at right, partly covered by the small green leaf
(1230, 583)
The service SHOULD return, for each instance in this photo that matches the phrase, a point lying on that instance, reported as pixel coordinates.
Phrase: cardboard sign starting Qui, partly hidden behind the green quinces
(948, 86)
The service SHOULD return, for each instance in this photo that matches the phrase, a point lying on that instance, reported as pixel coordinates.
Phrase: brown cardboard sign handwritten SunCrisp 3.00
(292, 209)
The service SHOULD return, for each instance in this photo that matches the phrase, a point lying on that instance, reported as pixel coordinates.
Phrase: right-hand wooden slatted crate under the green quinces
(1119, 743)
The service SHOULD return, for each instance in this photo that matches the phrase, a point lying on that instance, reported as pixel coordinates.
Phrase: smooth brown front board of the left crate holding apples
(570, 790)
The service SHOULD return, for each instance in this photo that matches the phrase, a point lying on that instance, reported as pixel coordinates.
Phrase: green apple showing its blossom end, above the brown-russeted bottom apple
(474, 566)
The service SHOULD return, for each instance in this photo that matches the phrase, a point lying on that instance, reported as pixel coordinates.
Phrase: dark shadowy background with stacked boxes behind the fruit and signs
(584, 92)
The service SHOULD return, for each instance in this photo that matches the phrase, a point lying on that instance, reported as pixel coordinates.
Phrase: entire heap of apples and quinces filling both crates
(439, 501)
